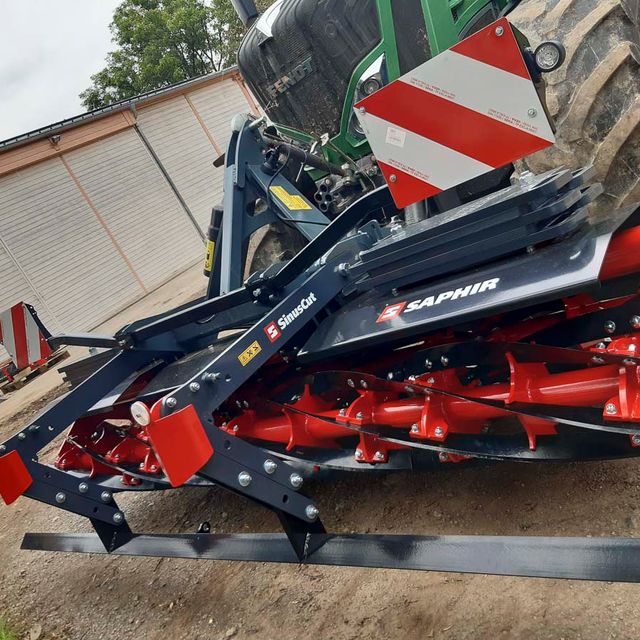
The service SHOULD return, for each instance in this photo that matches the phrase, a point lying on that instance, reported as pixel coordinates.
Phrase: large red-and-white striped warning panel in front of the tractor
(467, 111)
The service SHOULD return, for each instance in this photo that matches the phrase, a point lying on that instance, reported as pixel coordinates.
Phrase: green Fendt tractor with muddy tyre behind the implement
(308, 62)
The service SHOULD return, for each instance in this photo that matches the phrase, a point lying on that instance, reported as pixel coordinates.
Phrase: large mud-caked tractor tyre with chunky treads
(595, 96)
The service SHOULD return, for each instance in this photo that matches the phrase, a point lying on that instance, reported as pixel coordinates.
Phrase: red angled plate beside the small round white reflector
(181, 444)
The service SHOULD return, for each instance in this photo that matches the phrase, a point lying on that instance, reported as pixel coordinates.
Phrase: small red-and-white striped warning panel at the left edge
(21, 336)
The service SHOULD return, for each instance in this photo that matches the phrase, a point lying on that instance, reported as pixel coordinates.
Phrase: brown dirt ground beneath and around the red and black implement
(93, 598)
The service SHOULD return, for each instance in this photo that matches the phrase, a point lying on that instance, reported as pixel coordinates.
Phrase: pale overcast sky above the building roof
(48, 51)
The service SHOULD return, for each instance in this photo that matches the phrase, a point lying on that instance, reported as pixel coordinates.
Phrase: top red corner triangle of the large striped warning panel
(488, 47)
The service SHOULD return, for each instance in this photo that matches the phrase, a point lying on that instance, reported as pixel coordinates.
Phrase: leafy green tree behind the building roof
(160, 42)
